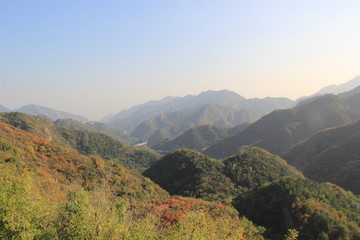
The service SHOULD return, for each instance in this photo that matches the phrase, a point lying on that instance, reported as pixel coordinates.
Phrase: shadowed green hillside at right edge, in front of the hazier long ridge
(331, 155)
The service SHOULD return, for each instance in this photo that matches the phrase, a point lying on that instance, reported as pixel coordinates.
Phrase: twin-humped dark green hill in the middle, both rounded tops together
(189, 173)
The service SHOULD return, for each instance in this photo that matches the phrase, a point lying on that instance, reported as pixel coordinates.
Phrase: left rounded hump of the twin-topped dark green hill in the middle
(189, 173)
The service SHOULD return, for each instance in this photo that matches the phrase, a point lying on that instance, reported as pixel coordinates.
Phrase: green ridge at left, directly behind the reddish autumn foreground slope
(85, 142)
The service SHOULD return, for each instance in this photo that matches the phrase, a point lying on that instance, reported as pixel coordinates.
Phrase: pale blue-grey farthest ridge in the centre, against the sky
(129, 119)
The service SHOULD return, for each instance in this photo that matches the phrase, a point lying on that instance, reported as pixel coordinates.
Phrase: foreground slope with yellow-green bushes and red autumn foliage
(48, 191)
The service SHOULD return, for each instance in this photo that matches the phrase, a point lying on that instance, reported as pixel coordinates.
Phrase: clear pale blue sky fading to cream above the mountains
(94, 58)
